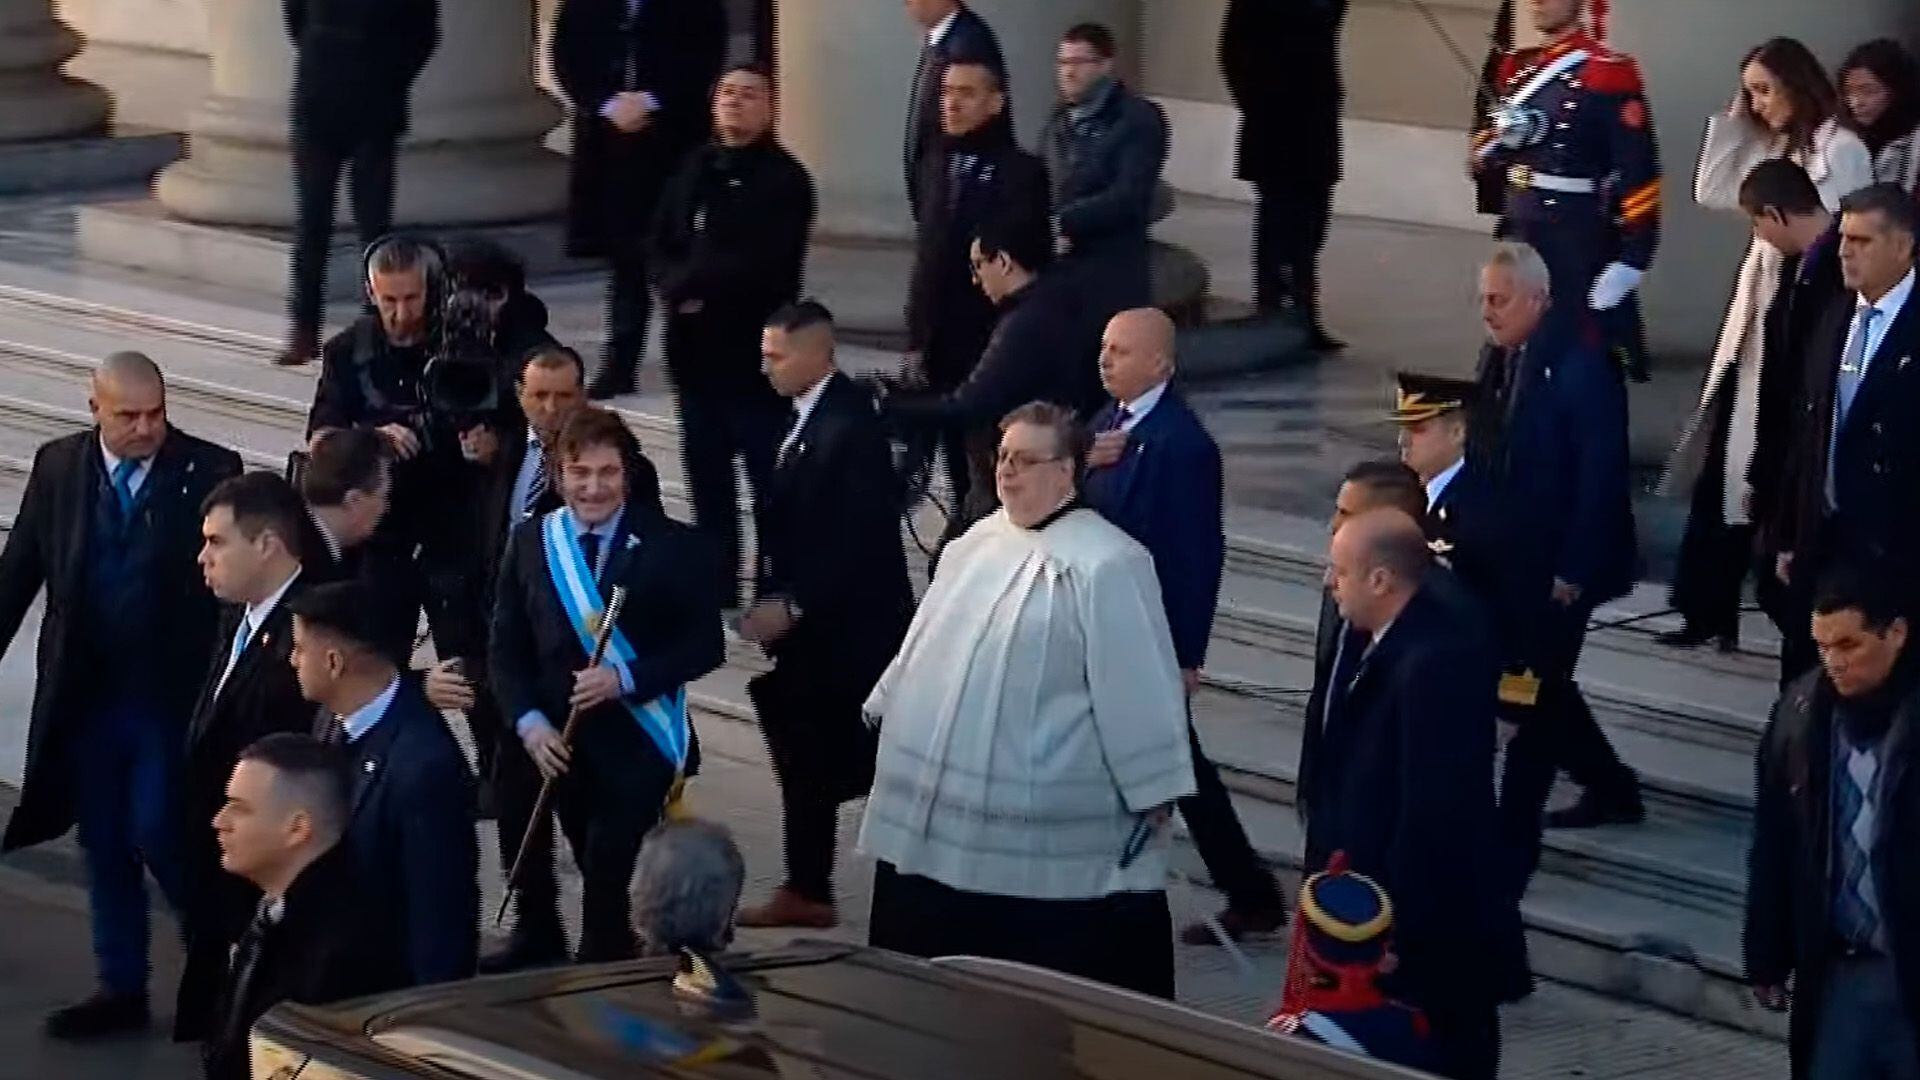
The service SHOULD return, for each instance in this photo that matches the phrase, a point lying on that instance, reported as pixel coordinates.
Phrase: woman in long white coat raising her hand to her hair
(1785, 109)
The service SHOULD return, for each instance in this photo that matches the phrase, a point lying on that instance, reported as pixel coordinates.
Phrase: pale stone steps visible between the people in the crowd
(1648, 914)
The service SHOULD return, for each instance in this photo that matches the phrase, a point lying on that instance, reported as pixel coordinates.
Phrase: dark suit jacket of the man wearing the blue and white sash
(671, 618)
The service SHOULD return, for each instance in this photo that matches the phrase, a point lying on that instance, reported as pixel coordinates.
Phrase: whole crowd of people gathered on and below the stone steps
(228, 693)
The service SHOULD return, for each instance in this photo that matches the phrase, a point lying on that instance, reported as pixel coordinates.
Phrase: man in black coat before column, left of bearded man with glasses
(974, 172)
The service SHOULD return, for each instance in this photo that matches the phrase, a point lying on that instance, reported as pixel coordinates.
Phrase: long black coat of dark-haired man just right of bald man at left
(260, 699)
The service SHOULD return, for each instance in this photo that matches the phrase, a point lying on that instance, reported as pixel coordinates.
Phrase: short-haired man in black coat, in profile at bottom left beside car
(312, 939)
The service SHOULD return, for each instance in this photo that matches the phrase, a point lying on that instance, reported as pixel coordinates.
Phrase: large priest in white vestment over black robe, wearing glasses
(1032, 739)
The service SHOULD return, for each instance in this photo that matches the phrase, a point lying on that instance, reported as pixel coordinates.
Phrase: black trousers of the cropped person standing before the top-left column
(318, 166)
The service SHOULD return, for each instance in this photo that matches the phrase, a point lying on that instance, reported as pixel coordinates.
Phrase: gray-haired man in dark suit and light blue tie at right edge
(1860, 456)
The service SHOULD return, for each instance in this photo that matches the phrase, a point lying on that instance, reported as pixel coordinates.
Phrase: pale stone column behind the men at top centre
(846, 72)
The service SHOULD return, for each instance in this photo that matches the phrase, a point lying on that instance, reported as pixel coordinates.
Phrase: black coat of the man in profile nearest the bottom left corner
(325, 948)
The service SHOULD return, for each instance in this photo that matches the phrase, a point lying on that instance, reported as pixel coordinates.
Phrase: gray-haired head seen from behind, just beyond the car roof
(686, 887)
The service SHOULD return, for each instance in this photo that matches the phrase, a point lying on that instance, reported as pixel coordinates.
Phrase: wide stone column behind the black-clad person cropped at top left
(473, 151)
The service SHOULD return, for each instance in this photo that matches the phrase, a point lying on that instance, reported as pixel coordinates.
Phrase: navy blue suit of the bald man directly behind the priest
(1168, 495)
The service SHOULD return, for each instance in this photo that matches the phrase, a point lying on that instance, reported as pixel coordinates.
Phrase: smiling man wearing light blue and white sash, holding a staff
(635, 741)
